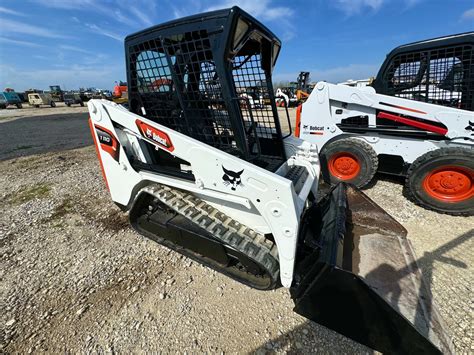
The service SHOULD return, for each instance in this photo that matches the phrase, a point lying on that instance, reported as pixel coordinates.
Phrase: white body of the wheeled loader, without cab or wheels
(329, 104)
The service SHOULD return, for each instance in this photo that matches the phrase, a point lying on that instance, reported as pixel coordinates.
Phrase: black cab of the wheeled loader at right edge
(438, 71)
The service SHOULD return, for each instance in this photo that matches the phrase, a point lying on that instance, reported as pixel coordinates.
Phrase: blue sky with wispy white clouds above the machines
(77, 43)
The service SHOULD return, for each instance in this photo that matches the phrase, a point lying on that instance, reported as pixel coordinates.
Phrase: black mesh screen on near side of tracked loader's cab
(179, 88)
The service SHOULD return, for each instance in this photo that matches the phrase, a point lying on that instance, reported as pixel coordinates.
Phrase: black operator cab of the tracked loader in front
(193, 75)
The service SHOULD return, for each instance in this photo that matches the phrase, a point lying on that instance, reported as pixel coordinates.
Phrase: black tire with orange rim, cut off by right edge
(428, 184)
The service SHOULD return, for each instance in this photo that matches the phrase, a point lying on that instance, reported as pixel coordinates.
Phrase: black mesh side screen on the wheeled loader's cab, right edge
(443, 76)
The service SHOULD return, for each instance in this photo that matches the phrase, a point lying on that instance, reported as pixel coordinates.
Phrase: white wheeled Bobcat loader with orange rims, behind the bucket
(415, 121)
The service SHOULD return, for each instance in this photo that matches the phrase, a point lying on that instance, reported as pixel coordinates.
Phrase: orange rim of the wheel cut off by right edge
(450, 184)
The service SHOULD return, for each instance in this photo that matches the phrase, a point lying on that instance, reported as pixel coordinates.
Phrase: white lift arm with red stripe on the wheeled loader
(331, 104)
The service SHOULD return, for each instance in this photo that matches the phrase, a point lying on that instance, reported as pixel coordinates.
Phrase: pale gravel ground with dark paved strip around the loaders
(74, 277)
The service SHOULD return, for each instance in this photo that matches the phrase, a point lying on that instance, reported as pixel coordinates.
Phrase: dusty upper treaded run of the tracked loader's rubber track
(232, 233)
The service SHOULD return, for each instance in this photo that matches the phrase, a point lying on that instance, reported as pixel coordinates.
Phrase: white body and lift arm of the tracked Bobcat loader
(264, 201)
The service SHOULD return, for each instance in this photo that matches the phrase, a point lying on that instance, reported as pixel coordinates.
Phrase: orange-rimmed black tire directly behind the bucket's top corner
(350, 160)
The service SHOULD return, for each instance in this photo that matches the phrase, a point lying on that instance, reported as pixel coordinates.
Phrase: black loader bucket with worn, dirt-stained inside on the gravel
(356, 273)
